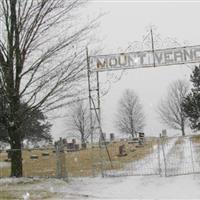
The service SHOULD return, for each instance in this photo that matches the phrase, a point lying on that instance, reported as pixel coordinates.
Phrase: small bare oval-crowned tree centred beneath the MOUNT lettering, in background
(130, 118)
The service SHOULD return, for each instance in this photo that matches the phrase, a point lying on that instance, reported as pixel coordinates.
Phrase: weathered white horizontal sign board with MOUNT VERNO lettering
(142, 59)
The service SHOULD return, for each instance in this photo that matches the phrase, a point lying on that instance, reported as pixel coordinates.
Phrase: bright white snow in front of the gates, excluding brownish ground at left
(153, 187)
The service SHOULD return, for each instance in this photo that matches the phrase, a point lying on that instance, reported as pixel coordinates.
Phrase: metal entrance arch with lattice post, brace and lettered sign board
(131, 60)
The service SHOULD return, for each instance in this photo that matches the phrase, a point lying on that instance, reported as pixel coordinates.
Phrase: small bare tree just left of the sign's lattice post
(79, 121)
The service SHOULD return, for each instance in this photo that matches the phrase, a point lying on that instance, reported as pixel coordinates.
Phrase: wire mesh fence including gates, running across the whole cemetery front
(166, 156)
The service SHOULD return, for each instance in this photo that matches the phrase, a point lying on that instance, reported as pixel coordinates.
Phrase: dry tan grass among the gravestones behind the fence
(80, 163)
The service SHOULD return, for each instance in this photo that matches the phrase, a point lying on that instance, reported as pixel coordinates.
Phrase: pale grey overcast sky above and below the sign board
(126, 22)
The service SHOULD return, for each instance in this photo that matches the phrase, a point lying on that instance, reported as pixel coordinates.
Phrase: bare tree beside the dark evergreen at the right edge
(170, 108)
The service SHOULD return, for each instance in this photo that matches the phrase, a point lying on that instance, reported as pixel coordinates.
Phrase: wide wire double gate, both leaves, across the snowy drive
(168, 156)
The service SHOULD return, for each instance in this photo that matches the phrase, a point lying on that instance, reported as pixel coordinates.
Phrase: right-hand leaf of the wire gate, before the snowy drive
(183, 157)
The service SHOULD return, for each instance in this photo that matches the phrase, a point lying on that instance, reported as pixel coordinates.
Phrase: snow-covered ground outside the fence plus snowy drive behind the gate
(178, 156)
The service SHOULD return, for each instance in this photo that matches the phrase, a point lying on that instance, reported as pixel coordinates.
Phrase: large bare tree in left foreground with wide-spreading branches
(42, 58)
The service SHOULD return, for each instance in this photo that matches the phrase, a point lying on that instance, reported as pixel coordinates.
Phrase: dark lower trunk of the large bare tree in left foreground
(16, 153)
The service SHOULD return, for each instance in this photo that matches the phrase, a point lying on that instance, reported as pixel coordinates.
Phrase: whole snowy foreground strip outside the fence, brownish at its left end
(148, 187)
